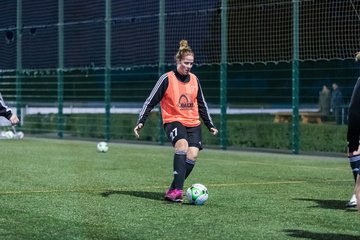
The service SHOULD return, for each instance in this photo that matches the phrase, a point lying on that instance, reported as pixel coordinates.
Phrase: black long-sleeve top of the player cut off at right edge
(353, 133)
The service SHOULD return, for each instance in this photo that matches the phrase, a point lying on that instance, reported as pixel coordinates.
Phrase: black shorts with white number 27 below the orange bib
(175, 131)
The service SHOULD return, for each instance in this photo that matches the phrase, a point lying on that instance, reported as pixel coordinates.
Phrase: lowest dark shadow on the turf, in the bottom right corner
(319, 236)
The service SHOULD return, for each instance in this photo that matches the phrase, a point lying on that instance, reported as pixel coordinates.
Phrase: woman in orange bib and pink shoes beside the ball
(182, 104)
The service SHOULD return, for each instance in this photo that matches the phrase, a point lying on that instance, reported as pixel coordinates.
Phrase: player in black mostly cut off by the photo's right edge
(353, 136)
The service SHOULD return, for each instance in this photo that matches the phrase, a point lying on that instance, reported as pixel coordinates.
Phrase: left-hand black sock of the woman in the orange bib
(179, 170)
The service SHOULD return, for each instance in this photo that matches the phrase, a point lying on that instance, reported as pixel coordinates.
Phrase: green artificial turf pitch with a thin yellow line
(61, 189)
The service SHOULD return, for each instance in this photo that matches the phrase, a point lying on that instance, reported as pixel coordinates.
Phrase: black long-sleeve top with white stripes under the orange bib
(158, 93)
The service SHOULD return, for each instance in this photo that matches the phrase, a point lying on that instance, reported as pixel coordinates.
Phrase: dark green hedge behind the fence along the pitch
(242, 131)
